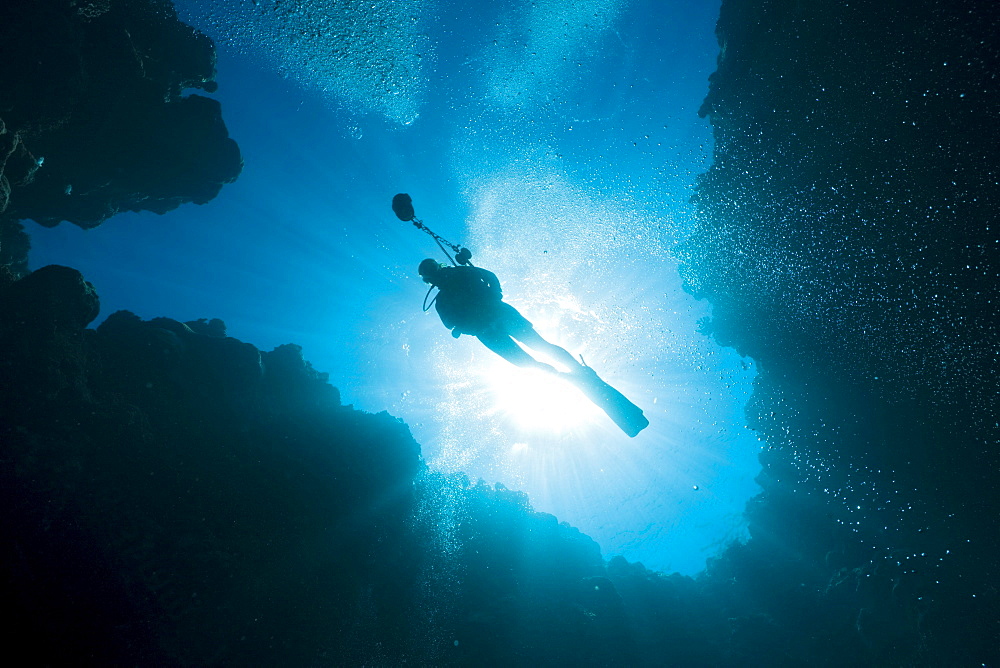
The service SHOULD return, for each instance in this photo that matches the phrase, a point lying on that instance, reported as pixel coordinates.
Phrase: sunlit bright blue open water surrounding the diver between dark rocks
(560, 142)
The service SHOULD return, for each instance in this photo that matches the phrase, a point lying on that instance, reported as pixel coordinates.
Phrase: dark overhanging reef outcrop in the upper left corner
(95, 115)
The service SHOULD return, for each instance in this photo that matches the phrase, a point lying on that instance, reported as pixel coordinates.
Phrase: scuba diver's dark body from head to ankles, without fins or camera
(470, 302)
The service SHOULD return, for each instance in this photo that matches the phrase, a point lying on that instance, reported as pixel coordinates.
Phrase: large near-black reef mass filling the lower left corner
(169, 491)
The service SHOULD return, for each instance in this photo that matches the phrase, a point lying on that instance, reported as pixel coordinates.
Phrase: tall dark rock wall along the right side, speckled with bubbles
(848, 244)
